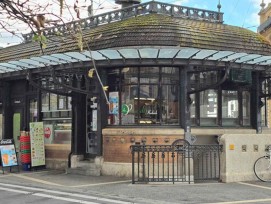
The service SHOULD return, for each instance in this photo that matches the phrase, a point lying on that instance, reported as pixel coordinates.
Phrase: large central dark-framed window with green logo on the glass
(149, 95)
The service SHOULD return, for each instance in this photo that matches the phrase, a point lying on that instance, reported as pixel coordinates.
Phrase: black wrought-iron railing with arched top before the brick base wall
(179, 162)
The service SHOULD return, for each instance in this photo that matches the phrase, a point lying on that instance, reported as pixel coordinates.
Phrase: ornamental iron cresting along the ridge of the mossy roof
(132, 11)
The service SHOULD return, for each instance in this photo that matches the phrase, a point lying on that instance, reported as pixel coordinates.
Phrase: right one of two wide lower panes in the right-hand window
(230, 110)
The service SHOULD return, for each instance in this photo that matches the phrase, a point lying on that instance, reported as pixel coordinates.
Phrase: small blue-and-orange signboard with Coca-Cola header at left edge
(8, 153)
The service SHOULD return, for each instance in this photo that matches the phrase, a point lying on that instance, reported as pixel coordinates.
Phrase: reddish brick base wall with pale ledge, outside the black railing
(117, 142)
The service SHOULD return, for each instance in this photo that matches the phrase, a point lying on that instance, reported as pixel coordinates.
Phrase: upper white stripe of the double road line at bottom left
(65, 193)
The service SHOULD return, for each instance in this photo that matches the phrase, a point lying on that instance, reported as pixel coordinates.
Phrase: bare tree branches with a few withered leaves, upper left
(35, 15)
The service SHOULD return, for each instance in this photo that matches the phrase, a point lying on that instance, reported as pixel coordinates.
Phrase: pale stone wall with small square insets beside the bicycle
(236, 164)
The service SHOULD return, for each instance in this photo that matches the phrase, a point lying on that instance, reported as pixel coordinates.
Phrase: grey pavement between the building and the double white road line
(242, 192)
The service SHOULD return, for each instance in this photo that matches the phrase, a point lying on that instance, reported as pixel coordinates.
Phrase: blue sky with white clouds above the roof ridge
(242, 13)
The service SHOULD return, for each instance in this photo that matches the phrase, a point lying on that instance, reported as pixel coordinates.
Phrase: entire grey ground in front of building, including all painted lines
(58, 187)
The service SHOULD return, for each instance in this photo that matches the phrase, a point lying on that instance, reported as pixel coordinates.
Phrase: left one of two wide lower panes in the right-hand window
(208, 108)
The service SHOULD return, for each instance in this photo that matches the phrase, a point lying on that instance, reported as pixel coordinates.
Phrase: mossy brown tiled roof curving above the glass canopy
(151, 30)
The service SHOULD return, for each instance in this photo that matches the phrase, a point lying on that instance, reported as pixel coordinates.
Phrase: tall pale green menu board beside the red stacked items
(37, 144)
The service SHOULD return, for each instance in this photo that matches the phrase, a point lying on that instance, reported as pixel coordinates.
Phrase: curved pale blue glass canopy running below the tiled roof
(255, 61)
